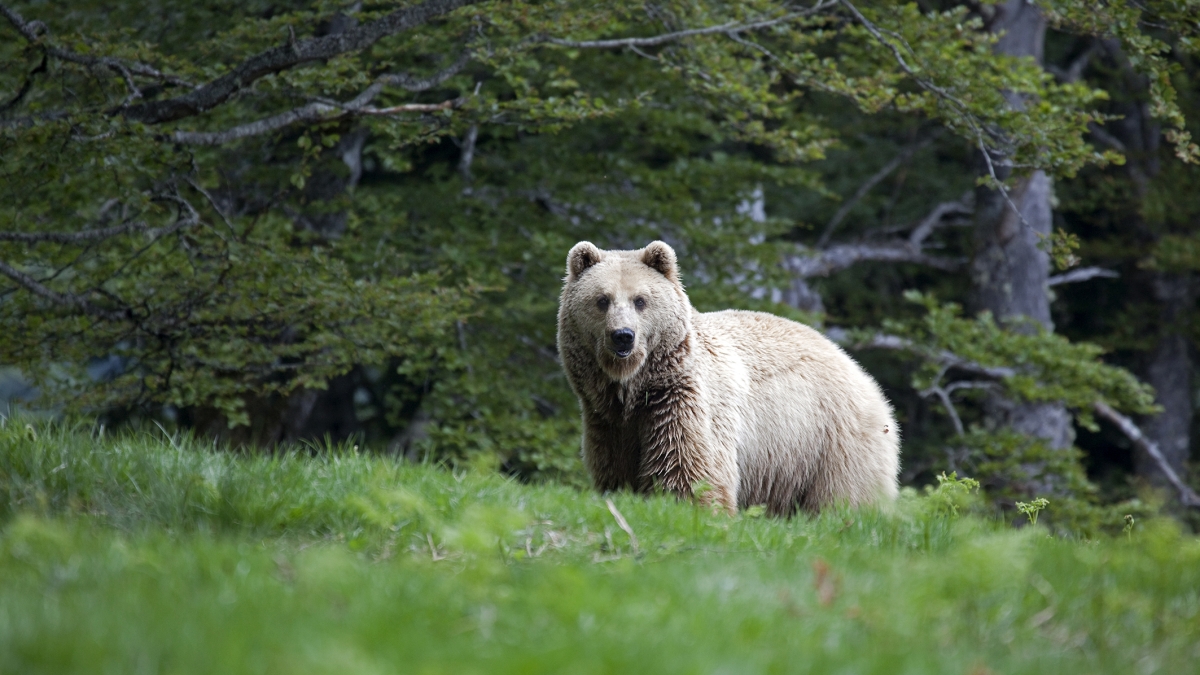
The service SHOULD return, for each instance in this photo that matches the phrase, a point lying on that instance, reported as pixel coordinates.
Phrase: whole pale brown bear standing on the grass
(764, 410)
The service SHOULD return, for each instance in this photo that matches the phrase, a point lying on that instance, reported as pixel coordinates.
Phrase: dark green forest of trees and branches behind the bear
(273, 223)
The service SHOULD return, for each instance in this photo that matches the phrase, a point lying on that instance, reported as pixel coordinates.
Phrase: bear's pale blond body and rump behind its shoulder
(795, 401)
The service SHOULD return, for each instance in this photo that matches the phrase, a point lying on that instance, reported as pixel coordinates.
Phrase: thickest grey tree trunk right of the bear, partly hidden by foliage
(1010, 272)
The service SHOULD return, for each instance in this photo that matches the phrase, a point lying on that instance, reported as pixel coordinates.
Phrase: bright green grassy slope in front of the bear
(139, 554)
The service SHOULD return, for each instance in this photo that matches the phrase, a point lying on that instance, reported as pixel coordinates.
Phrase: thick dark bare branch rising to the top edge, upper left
(278, 59)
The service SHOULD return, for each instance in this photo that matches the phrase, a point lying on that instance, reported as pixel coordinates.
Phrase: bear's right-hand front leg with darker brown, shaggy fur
(680, 451)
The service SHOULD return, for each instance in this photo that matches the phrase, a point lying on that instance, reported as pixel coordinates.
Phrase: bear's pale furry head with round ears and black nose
(623, 306)
